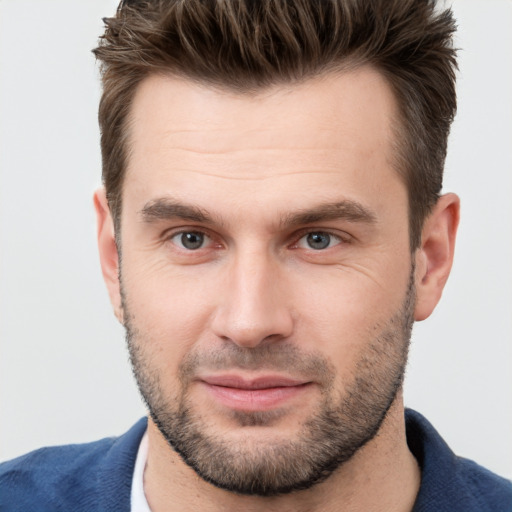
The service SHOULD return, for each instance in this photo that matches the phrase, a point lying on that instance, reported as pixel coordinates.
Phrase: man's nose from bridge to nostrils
(252, 307)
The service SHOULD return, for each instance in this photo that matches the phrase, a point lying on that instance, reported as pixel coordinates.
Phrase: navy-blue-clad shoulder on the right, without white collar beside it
(452, 483)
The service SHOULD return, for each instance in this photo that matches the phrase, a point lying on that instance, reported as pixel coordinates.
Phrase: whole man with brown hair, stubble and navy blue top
(270, 228)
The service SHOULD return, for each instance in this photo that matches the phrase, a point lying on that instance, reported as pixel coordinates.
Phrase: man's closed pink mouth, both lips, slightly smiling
(262, 393)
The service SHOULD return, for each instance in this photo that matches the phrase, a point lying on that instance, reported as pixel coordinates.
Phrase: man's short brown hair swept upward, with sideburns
(249, 45)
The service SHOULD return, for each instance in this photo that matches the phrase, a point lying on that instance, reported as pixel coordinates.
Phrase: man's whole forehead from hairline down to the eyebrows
(330, 131)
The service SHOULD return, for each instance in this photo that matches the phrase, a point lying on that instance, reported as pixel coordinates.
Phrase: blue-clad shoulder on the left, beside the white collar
(71, 477)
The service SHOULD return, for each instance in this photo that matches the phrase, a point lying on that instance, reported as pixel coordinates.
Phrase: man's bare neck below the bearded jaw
(381, 476)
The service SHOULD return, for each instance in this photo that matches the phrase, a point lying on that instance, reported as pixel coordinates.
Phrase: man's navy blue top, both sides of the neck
(97, 476)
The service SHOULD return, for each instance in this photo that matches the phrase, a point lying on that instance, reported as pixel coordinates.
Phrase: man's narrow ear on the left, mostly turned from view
(109, 257)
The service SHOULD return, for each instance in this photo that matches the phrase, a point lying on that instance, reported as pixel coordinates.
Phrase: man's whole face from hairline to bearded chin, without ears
(266, 276)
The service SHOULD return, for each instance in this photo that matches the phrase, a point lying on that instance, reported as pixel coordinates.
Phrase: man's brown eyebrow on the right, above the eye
(349, 210)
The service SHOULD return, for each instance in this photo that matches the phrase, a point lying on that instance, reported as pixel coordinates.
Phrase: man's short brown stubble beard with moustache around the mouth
(344, 421)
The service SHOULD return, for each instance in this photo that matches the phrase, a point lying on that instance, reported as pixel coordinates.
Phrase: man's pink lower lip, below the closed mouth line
(255, 399)
